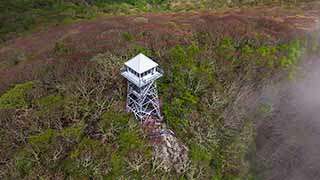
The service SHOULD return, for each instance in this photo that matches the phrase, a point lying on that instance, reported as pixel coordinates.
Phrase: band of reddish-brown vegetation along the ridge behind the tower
(155, 31)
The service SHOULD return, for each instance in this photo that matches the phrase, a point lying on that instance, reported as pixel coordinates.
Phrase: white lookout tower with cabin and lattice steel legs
(142, 98)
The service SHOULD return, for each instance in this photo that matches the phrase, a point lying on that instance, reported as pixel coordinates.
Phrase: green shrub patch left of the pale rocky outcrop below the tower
(125, 134)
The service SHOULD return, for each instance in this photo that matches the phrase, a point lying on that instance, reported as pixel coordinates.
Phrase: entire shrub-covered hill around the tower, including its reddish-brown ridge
(62, 99)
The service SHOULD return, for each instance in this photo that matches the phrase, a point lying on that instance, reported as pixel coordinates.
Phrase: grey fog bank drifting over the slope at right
(288, 140)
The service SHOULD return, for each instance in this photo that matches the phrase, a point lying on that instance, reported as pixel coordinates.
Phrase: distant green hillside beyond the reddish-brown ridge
(18, 16)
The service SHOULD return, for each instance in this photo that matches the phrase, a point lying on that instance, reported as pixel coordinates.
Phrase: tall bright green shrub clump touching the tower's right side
(179, 86)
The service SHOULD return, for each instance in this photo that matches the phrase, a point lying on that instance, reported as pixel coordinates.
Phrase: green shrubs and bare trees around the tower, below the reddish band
(74, 124)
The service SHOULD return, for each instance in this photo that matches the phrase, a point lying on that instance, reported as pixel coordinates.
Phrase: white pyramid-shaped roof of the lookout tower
(141, 63)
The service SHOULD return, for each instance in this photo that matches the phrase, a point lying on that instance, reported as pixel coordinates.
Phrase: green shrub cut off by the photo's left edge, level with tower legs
(16, 97)
